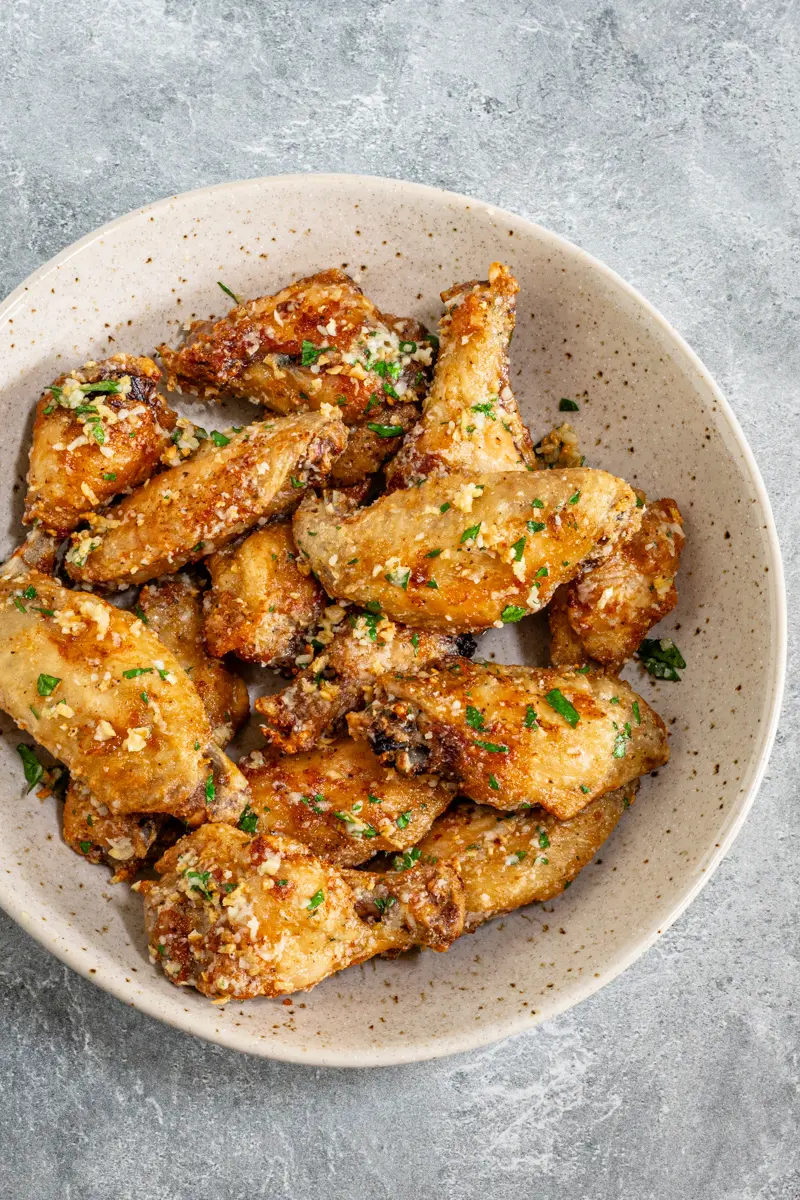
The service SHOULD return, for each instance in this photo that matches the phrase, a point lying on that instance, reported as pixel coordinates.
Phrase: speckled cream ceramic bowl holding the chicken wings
(649, 412)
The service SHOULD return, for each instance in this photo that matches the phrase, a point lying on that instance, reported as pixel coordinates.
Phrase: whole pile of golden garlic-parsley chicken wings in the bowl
(388, 507)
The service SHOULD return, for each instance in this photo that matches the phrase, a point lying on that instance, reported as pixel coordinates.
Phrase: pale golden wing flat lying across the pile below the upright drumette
(467, 553)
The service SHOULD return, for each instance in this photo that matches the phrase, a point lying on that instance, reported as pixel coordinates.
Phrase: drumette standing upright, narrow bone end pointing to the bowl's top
(471, 422)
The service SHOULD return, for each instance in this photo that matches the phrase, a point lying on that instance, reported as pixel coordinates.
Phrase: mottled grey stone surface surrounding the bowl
(664, 139)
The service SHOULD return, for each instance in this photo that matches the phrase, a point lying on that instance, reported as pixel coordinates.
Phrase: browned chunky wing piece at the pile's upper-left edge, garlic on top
(92, 443)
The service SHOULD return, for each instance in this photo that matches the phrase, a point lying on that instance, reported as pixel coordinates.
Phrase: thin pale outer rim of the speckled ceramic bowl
(468, 1040)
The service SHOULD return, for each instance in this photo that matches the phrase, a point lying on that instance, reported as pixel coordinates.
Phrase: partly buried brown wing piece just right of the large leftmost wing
(173, 608)
